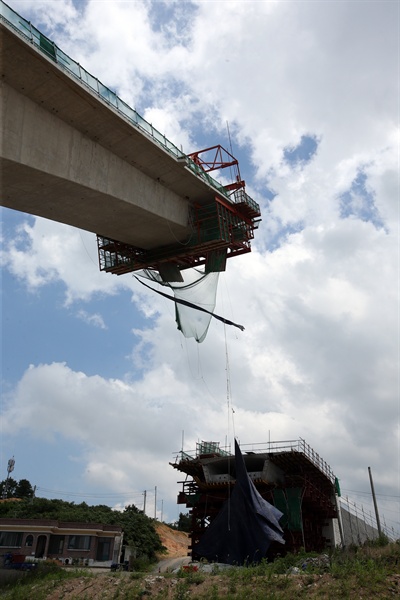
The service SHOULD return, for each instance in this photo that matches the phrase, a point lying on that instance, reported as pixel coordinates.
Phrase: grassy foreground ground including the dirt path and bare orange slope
(369, 573)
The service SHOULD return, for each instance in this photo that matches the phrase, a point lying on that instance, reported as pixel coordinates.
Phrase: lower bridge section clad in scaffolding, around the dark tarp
(289, 474)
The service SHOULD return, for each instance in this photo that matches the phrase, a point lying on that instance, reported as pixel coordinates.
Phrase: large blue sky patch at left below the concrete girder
(40, 330)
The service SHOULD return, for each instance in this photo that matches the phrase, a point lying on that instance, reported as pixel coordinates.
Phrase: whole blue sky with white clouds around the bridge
(99, 387)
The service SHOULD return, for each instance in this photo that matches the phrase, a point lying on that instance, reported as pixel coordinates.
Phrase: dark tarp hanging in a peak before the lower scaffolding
(245, 527)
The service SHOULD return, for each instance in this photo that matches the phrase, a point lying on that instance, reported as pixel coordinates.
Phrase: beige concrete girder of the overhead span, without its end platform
(71, 156)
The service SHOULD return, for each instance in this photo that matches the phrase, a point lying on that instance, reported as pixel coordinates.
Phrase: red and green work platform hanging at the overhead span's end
(219, 229)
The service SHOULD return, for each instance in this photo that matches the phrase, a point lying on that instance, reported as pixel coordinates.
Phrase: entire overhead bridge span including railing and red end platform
(74, 152)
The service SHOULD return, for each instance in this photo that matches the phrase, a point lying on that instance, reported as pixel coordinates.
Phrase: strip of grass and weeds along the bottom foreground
(371, 571)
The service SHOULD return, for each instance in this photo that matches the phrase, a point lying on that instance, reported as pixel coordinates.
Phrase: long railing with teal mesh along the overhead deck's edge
(49, 48)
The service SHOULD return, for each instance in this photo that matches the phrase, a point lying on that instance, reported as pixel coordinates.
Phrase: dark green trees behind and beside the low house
(139, 530)
